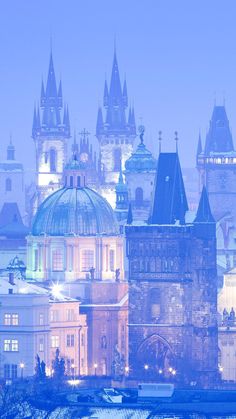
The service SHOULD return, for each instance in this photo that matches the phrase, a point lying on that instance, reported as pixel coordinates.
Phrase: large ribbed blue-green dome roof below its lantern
(75, 211)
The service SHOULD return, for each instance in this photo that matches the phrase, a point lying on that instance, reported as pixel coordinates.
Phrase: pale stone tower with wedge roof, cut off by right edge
(216, 164)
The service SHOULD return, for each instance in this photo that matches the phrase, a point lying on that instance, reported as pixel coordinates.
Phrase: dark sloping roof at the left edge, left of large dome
(11, 224)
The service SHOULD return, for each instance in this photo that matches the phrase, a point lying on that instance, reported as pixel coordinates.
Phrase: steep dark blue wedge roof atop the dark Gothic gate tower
(170, 202)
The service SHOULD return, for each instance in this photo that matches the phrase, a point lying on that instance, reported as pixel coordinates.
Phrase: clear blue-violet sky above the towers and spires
(179, 58)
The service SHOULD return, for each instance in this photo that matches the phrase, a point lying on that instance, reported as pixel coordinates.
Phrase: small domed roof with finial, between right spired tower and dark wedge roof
(141, 160)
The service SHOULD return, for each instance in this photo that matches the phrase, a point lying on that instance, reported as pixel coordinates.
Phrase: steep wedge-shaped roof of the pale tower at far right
(219, 138)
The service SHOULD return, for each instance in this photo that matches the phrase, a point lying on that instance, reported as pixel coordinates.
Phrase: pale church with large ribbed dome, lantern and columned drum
(75, 242)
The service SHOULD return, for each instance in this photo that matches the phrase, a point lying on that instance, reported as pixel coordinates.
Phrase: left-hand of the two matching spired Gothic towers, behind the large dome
(50, 134)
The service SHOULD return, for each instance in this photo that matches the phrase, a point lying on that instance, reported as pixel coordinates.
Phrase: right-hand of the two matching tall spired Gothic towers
(115, 134)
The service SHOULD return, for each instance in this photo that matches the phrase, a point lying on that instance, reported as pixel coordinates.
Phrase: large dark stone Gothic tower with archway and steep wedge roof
(173, 286)
